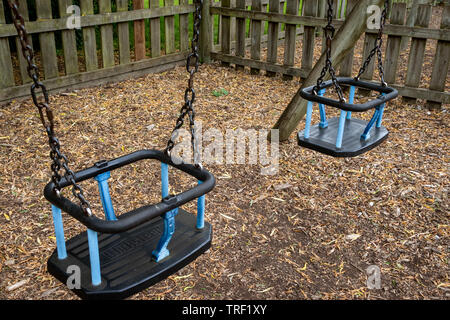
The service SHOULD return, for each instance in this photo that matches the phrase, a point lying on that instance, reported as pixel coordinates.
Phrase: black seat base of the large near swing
(126, 260)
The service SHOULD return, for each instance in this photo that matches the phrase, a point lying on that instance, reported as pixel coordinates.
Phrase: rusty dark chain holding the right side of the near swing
(192, 65)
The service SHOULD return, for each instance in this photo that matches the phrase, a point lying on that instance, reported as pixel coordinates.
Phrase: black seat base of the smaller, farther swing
(323, 140)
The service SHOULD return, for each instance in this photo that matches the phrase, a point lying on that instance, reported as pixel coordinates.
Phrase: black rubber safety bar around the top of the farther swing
(390, 93)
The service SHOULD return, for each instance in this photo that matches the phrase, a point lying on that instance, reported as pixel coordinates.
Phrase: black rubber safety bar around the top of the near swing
(138, 216)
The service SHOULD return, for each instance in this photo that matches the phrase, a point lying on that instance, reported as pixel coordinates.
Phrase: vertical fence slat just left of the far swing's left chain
(309, 33)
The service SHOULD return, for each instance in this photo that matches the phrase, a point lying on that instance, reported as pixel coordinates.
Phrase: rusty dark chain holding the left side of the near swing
(59, 160)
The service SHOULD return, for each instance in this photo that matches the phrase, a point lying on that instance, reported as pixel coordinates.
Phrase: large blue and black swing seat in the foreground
(123, 255)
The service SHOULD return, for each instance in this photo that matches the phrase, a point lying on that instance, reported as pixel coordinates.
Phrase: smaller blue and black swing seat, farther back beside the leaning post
(345, 136)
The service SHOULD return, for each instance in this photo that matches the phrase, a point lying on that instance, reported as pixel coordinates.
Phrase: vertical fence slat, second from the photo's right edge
(415, 61)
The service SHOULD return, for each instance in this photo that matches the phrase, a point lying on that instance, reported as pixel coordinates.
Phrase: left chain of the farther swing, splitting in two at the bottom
(329, 32)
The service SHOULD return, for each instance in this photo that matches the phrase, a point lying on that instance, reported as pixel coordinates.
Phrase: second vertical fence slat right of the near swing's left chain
(69, 41)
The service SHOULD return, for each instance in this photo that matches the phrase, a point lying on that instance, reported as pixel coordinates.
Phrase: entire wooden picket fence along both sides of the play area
(117, 42)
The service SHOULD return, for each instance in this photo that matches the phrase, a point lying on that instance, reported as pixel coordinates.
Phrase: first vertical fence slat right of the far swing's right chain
(398, 14)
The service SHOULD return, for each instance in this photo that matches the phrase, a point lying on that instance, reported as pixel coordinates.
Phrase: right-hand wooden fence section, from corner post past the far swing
(309, 16)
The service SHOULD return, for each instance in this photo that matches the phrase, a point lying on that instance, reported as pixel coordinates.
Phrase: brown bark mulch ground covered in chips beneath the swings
(308, 232)
